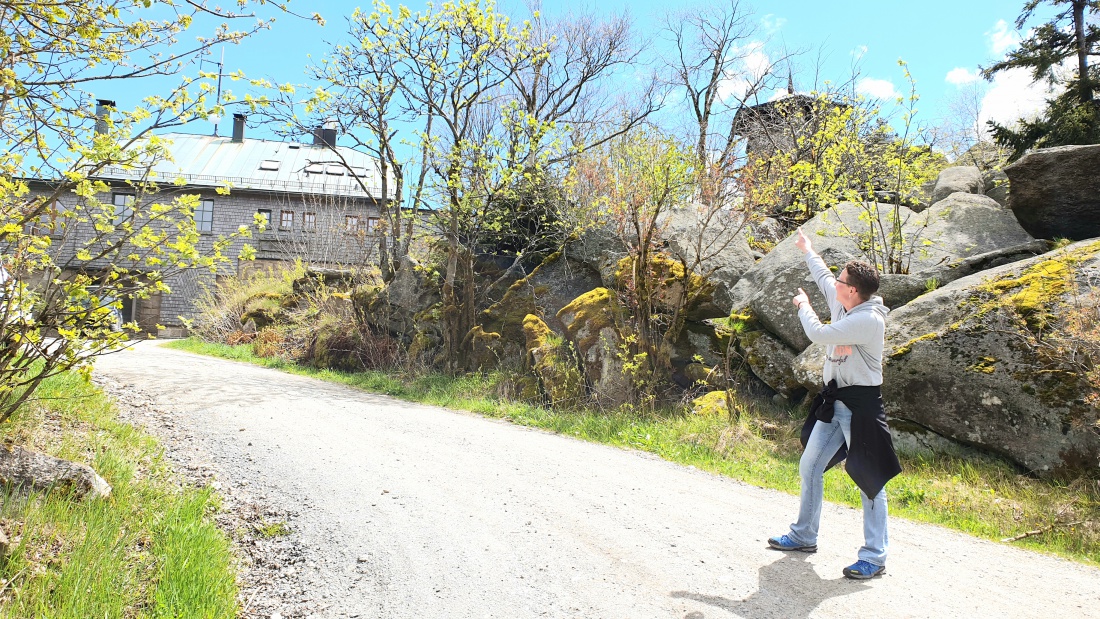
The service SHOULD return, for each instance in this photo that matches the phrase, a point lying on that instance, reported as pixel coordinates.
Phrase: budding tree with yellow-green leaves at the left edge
(72, 256)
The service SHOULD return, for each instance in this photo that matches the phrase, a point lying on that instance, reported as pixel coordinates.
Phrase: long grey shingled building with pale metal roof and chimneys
(321, 202)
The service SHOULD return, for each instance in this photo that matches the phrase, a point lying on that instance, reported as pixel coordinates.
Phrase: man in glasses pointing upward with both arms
(848, 418)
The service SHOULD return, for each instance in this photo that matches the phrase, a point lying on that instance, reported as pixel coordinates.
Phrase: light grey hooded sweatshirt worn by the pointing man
(854, 340)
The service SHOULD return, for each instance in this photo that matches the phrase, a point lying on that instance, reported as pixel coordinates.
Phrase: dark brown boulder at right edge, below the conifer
(1055, 193)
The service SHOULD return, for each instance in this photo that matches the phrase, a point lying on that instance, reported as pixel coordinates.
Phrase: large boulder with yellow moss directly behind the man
(978, 362)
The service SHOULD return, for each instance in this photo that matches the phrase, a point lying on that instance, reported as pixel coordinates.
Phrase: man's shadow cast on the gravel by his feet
(788, 588)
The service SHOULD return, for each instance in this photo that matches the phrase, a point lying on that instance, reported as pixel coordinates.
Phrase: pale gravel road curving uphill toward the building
(400, 511)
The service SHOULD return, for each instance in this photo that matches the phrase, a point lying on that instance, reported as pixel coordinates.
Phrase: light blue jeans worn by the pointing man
(824, 441)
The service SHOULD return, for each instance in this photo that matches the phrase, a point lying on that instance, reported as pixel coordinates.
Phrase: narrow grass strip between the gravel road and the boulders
(982, 496)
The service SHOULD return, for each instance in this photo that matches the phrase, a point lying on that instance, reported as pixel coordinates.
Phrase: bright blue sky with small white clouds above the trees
(943, 41)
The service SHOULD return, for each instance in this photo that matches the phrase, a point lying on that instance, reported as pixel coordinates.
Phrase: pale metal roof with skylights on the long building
(208, 161)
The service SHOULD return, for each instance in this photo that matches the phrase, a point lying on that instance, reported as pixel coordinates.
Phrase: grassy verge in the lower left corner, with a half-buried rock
(149, 550)
